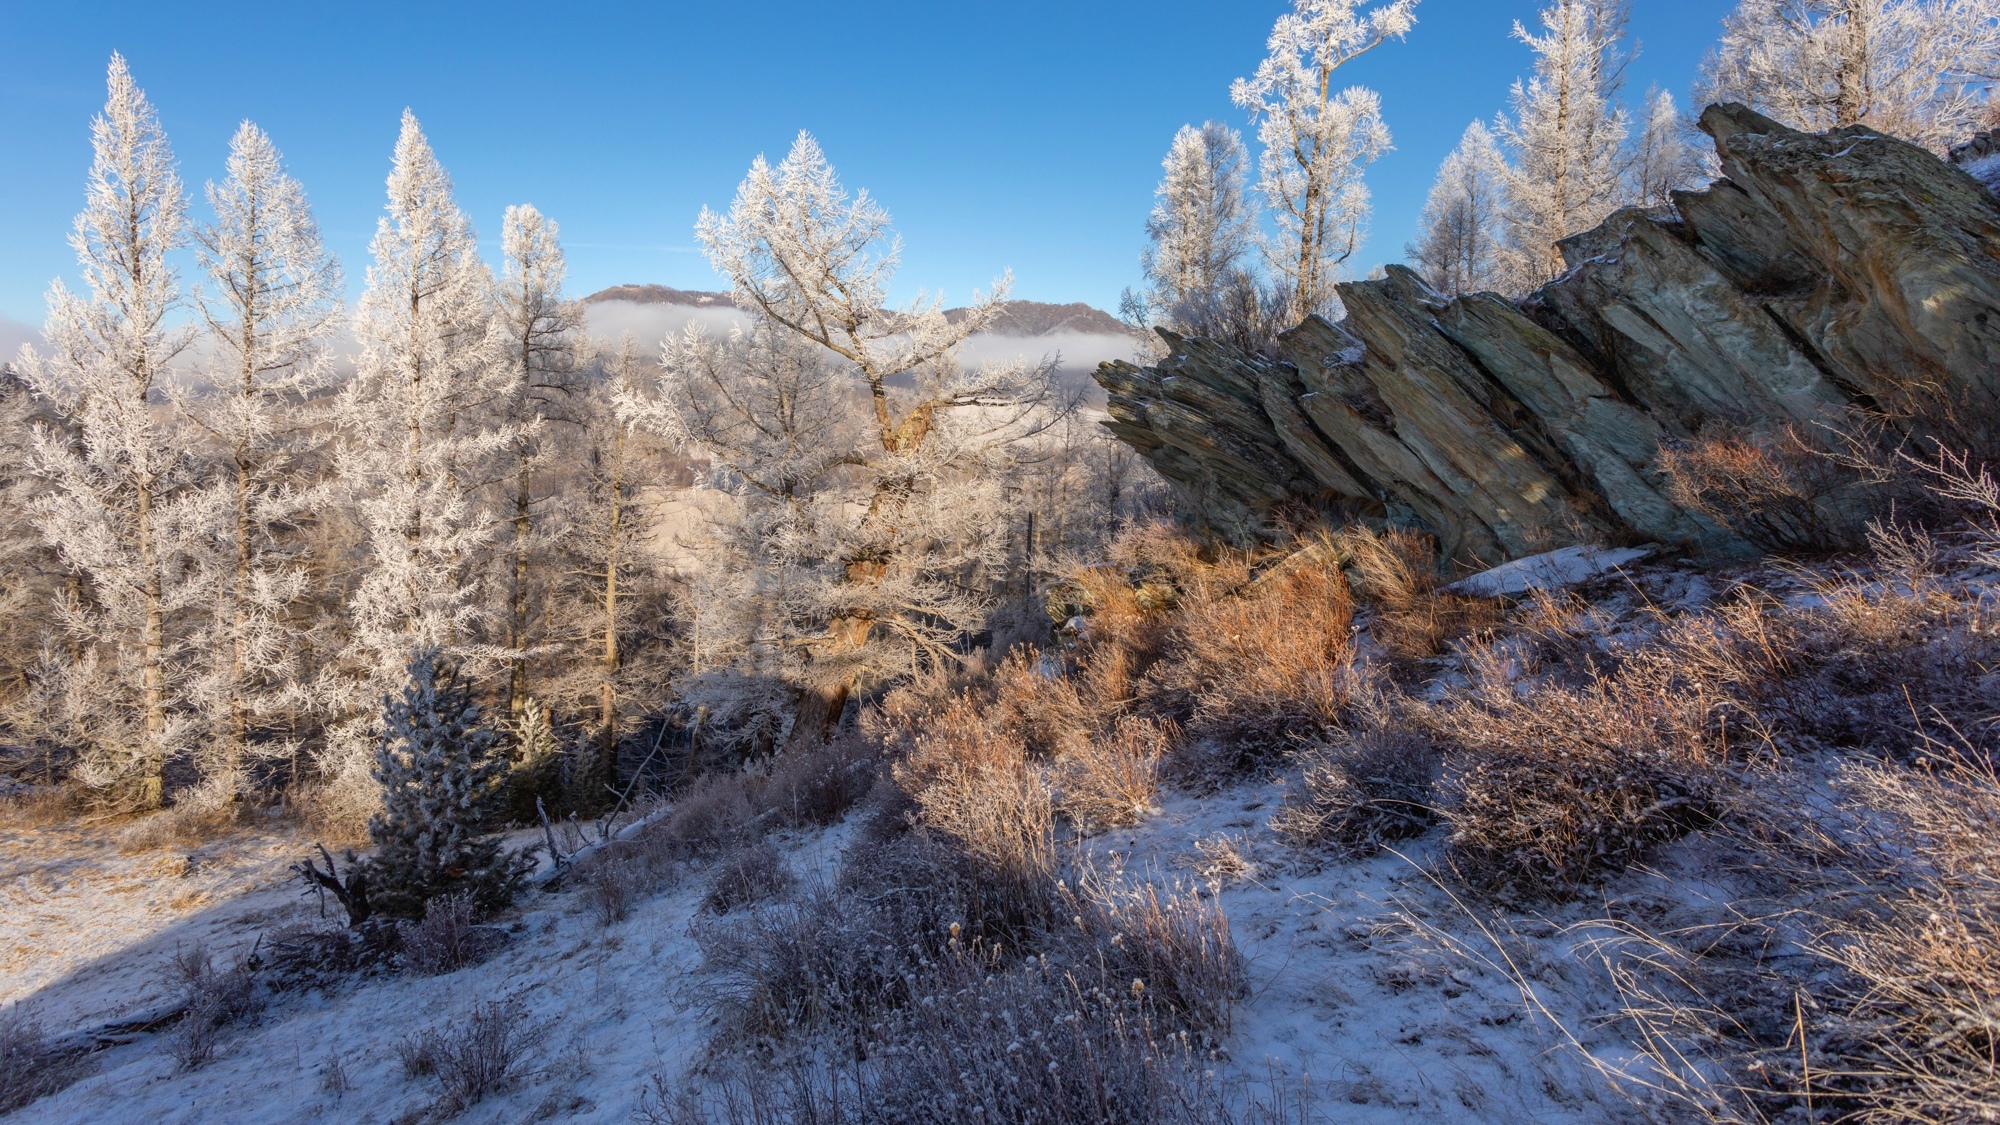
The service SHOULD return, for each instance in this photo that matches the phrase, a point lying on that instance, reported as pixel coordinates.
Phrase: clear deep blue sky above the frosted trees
(1001, 135)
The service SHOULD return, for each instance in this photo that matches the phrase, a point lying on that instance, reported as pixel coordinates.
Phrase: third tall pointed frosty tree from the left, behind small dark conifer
(421, 435)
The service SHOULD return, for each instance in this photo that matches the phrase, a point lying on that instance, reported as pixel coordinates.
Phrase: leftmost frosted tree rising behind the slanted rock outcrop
(1201, 227)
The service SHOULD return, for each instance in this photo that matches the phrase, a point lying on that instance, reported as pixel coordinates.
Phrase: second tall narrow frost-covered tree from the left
(271, 305)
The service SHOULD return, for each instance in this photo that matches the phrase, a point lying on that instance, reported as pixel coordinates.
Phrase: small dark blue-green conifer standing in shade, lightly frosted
(441, 772)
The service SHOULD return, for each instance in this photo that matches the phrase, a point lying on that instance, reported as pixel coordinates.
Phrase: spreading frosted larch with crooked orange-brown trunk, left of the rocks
(895, 533)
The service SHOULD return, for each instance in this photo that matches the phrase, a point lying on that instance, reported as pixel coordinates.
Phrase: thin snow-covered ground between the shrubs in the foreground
(1369, 984)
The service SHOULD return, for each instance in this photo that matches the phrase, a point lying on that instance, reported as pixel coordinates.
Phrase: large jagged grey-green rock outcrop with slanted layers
(1821, 273)
